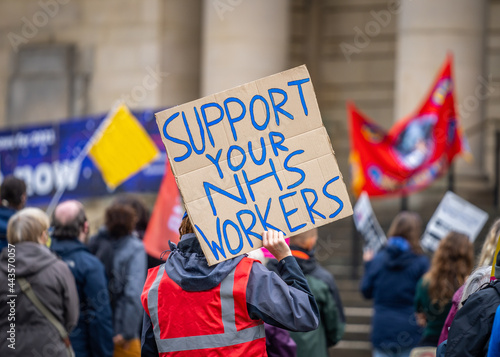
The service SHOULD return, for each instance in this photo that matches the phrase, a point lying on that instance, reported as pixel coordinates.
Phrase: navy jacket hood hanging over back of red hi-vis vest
(188, 267)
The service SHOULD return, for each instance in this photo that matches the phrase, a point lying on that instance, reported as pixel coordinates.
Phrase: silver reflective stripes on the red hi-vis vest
(230, 336)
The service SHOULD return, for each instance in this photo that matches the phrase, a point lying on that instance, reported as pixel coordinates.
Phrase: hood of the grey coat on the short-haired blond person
(30, 258)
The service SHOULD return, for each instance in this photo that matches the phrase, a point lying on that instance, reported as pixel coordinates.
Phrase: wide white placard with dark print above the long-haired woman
(453, 214)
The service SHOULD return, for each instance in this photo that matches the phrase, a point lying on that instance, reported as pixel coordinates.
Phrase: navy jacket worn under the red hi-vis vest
(293, 306)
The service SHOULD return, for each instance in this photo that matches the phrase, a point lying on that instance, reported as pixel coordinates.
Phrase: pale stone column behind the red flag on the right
(427, 31)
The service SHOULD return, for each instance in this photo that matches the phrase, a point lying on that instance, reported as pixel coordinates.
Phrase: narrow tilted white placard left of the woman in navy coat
(367, 224)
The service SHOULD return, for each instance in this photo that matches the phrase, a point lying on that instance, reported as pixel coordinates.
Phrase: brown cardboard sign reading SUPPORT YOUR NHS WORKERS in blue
(253, 158)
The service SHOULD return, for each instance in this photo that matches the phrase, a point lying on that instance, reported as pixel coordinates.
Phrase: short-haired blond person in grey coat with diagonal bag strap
(39, 272)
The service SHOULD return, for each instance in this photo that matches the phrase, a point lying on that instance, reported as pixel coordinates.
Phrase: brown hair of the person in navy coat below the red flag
(407, 225)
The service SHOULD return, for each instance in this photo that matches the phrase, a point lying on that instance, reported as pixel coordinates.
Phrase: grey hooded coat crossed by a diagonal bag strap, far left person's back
(54, 285)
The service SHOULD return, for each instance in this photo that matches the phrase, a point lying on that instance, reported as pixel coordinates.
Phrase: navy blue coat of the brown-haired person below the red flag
(390, 279)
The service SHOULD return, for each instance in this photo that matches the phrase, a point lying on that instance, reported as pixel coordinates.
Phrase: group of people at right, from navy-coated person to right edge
(442, 307)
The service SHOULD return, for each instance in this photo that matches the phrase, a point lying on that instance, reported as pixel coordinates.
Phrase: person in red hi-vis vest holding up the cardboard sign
(242, 294)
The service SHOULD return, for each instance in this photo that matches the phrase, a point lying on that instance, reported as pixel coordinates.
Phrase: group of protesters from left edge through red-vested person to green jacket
(72, 294)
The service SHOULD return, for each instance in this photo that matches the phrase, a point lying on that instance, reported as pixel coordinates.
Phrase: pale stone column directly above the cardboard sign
(243, 40)
